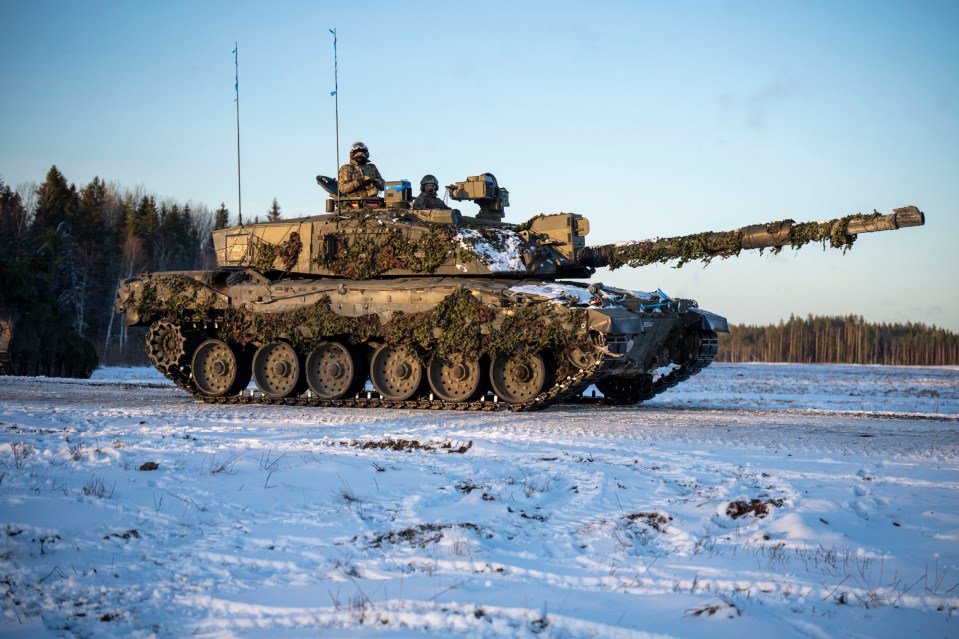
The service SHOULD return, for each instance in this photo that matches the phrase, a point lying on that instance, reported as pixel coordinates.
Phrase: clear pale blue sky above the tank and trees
(652, 119)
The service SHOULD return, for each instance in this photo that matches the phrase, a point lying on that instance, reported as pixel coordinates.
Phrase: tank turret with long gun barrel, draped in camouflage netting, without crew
(377, 237)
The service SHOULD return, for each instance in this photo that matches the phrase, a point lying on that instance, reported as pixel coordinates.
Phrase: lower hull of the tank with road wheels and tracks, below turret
(424, 342)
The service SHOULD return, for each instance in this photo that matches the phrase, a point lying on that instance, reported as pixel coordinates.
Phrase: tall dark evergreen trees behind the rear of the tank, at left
(64, 249)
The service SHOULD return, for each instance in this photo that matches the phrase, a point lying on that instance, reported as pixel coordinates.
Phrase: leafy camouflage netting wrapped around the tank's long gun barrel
(706, 246)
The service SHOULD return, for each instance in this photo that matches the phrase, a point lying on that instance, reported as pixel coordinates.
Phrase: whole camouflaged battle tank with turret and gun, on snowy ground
(375, 304)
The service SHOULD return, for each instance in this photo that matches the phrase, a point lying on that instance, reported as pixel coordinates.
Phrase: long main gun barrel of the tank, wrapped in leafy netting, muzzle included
(838, 233)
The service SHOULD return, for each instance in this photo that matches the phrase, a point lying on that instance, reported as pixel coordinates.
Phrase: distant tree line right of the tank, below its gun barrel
(840, 340)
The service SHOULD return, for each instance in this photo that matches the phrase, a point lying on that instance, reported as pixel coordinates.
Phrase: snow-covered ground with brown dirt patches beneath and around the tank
(754, 500)
